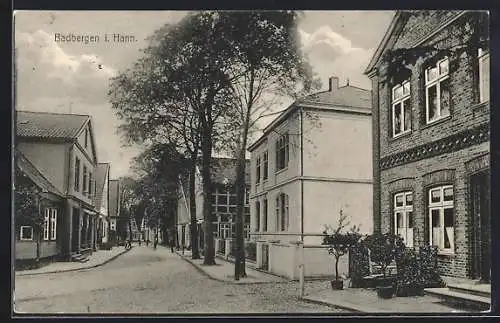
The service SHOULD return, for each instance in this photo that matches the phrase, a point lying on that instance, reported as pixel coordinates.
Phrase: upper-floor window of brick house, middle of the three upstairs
(437, 91)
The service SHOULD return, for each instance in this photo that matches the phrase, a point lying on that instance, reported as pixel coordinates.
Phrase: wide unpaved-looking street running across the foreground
(153, 281)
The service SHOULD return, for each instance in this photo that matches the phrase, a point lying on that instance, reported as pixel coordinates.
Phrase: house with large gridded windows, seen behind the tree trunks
(223, 203)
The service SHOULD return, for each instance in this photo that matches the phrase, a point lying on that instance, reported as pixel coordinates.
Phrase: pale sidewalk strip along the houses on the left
(97, 258)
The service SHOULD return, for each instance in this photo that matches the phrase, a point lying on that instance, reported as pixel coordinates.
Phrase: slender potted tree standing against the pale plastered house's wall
(339, 242)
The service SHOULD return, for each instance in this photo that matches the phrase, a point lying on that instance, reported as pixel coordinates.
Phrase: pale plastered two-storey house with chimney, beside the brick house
(311, 162)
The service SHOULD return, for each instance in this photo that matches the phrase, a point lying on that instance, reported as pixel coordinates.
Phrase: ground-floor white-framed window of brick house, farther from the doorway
(403, 216)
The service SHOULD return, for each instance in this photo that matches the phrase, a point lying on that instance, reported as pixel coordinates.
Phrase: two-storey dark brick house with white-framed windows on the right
(431, 150)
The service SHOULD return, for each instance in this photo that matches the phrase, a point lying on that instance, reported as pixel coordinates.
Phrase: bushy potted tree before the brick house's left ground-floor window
(384, 249)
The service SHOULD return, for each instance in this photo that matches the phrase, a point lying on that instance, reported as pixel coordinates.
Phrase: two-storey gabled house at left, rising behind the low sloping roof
(62, 148)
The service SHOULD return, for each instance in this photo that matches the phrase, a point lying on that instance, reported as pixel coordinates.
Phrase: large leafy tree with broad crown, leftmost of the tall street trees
(180, 78)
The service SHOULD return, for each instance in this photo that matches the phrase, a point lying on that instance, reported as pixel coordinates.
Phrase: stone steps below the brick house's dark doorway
(462, 299)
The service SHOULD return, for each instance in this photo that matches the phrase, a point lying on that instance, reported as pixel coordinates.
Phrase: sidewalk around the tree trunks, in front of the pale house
(224, 271)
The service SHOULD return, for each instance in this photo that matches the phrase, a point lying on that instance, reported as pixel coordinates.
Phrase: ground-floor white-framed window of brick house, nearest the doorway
(441, 218)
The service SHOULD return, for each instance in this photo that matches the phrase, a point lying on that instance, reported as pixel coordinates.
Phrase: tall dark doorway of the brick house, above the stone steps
(481, 226)
